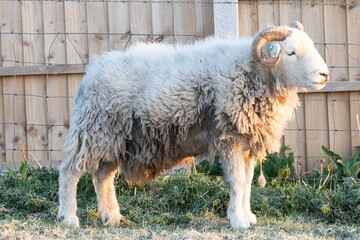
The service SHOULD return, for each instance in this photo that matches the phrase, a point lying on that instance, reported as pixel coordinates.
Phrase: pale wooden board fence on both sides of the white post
(45, 46)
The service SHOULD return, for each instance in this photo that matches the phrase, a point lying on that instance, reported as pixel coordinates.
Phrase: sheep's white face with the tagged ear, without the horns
(300, 64)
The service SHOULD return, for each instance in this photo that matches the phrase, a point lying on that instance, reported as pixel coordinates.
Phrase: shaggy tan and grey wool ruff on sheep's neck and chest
(264, 107)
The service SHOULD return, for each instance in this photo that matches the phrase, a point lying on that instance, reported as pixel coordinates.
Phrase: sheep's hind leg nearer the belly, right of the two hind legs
(108, 207)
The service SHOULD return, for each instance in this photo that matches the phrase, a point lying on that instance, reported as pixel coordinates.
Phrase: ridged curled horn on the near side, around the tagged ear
(267, 35)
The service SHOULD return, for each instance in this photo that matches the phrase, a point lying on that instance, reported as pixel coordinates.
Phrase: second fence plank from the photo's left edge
(34, 51)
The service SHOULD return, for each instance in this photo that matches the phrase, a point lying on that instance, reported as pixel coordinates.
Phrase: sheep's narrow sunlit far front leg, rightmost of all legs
(249, 174)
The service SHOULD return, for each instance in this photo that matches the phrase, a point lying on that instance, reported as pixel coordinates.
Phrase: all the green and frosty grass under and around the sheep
(178, 207)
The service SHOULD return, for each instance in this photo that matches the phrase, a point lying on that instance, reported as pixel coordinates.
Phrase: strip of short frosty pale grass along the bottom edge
(208, 227)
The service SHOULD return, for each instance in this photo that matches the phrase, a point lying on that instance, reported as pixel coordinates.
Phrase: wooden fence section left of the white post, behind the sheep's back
(40, 38)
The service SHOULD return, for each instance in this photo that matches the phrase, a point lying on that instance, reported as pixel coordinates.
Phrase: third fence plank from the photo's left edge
(56, 85)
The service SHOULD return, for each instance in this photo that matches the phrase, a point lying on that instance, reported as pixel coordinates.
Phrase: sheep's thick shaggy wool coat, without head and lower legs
(150, 107)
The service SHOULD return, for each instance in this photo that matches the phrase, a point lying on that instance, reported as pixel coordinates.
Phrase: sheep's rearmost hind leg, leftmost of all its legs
(68, 180)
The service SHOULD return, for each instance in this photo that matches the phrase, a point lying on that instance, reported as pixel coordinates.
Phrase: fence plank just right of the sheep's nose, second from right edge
(336, 55)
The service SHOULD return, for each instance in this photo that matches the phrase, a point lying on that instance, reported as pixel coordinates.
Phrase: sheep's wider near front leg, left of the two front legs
(235, 175)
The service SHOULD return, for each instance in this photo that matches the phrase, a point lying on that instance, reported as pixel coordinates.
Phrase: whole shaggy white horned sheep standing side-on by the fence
(147, 109)
